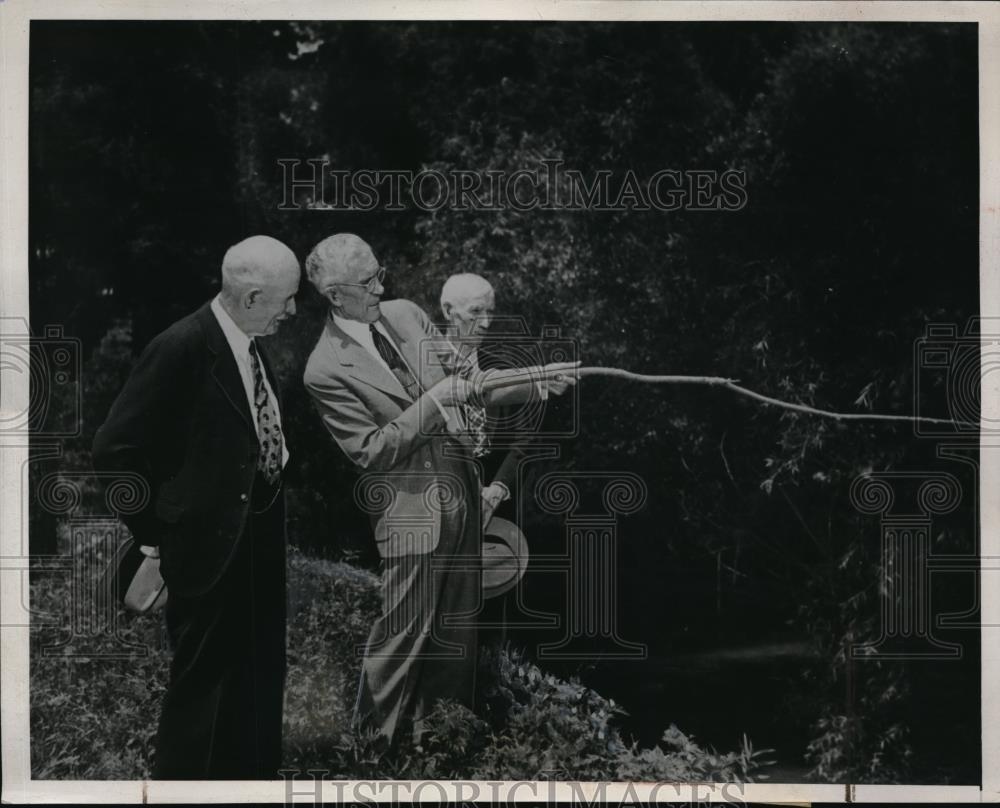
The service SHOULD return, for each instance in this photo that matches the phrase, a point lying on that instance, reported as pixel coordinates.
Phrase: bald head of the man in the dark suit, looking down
(260, 277)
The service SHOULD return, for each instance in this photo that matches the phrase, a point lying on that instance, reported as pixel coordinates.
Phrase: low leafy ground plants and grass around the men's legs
(94, 717)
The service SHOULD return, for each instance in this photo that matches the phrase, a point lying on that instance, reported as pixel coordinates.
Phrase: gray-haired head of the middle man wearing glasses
(346, 272)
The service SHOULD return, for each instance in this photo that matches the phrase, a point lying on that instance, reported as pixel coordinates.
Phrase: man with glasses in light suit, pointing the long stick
(380, 382)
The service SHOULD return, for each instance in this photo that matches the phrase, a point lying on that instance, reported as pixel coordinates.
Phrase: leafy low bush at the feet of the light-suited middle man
(540, 727)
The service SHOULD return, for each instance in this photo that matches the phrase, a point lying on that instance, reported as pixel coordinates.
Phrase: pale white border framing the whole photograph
(15, 18)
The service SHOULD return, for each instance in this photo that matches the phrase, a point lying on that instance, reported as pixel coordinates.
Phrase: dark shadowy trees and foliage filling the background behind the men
(154, 146)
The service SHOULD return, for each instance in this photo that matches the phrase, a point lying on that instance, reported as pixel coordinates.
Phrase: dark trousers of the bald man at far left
(222, 714)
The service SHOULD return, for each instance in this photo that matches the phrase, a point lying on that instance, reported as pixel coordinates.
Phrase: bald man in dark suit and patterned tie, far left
(200, 420)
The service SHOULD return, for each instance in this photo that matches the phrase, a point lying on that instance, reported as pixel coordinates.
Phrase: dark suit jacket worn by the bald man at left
(184, 424)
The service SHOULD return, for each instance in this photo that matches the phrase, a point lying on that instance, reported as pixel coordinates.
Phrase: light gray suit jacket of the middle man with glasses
(420, 482)
